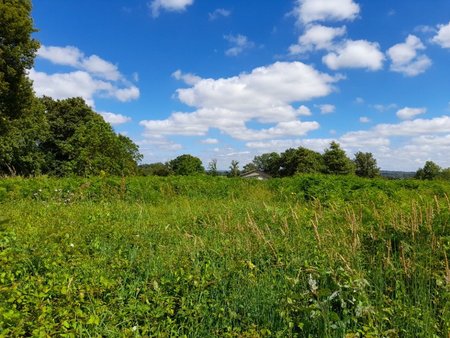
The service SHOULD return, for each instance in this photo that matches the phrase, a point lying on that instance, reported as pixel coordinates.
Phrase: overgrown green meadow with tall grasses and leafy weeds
(308, 256)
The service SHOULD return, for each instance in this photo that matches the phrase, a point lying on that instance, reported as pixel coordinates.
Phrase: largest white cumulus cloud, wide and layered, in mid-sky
(266, 95)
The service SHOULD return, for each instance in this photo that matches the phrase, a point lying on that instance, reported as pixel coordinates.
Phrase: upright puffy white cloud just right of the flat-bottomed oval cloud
(405, 58)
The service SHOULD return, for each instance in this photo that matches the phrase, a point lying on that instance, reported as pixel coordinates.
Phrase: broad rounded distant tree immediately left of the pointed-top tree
(300, 160)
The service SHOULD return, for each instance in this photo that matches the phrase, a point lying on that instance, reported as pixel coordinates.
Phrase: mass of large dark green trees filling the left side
(42, 135)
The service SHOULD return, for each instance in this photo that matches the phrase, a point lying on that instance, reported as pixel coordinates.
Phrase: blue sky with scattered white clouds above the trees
(231, 79)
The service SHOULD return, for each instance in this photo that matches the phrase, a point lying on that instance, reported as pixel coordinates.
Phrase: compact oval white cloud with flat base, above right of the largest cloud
(355, 54)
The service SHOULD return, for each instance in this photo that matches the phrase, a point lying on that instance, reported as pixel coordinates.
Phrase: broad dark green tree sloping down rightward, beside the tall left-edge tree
(80, 142)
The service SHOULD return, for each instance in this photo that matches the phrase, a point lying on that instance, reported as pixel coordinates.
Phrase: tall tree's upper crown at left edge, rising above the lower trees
(17, 52)
